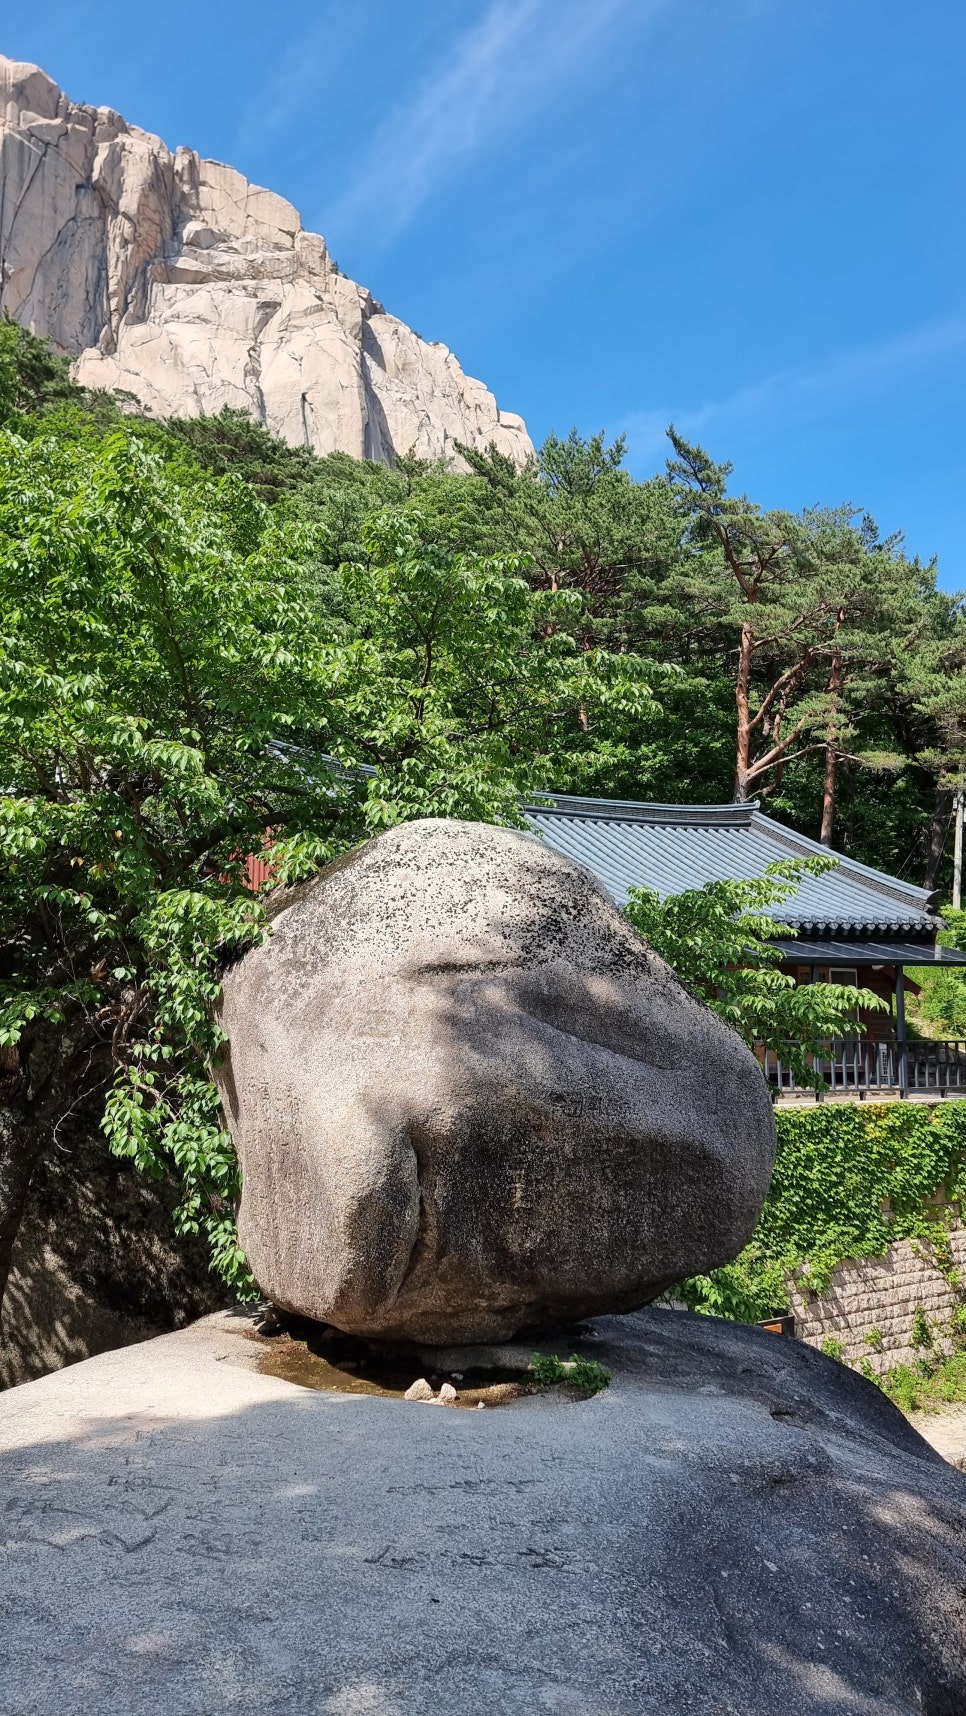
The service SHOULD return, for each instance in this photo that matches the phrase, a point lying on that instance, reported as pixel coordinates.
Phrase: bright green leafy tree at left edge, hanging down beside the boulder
(147, 668)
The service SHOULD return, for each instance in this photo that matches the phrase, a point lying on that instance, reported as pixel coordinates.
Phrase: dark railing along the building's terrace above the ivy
(864, 1068)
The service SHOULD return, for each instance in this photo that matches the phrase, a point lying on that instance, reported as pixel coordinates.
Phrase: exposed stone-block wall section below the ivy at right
(881, 1293)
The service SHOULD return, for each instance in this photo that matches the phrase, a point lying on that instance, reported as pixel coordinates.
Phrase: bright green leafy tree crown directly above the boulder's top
(471, 687)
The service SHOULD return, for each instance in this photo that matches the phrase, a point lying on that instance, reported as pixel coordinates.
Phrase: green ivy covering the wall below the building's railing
(850, 1180)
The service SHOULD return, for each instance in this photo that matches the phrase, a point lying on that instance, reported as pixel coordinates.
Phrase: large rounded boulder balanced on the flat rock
(468, 1099)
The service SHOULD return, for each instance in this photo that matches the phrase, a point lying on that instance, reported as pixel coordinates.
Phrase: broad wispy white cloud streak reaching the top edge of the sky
(488, 85)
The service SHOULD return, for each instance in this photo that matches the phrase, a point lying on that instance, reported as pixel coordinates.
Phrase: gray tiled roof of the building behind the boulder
(679, 847)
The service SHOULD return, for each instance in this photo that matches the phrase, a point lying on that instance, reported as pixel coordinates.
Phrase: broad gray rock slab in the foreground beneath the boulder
(737, 1528)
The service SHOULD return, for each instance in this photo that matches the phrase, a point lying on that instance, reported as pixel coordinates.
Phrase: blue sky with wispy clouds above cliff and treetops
(740, 215)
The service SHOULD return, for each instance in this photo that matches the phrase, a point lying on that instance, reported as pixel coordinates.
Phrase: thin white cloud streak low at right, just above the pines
(802, 392)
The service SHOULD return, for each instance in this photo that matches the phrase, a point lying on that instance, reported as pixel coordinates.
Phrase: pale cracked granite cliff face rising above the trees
(178, 282)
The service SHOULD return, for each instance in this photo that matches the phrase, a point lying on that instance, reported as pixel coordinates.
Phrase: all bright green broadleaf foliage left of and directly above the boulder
(176, 679)
